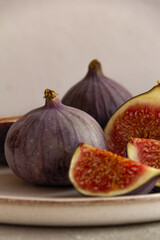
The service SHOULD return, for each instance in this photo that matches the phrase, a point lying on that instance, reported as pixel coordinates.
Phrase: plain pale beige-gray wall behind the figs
(49, 44)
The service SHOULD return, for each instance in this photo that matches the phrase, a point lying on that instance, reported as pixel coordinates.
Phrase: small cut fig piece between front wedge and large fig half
(146, 151)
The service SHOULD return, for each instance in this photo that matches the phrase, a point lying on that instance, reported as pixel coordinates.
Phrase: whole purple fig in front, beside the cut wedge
(39, 146)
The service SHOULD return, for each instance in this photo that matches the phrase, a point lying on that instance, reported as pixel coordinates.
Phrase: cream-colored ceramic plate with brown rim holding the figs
(22, 203)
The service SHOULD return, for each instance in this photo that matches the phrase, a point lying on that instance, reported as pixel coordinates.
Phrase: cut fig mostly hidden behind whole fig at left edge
(5, 124)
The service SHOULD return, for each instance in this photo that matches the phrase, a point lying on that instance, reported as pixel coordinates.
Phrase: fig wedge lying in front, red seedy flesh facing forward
(96, 172)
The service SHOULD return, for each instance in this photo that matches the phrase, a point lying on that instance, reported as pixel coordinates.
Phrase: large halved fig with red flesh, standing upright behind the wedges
(139, 117)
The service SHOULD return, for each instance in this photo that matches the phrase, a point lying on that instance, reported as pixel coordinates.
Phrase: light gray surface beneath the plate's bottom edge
(139, 232)
